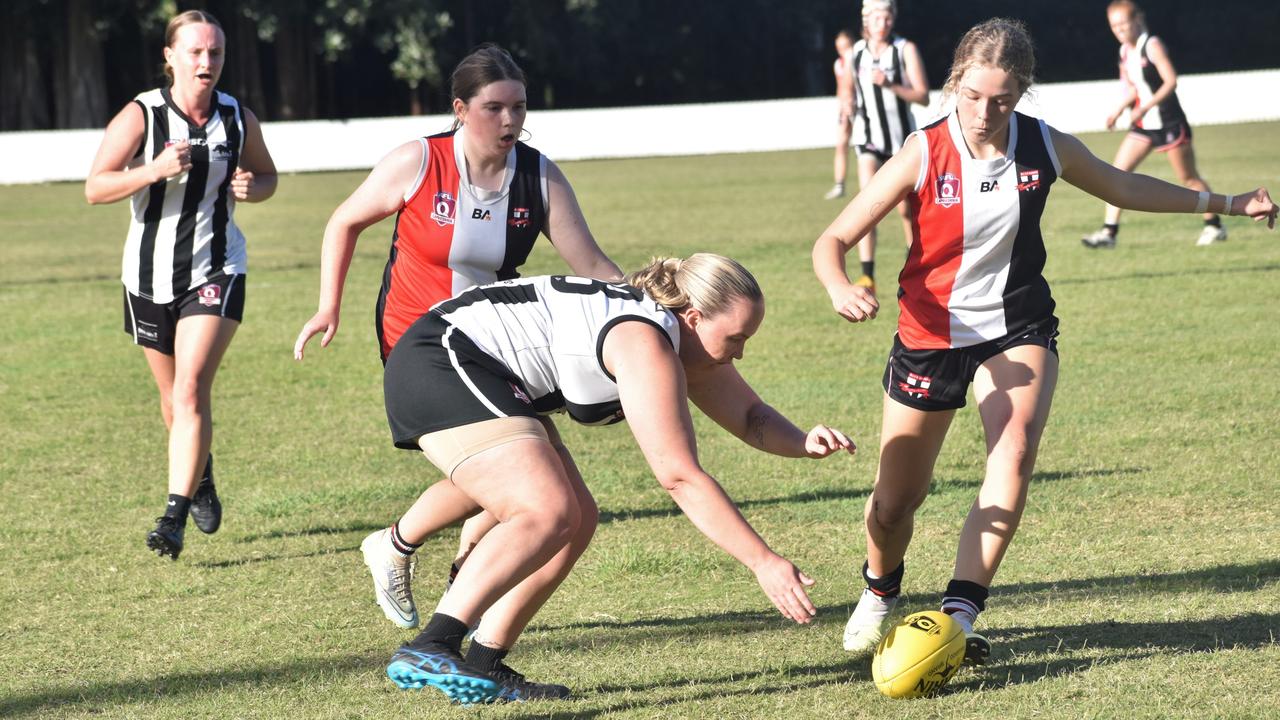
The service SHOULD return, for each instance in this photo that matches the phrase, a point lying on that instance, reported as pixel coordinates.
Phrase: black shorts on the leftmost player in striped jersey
(154, 325)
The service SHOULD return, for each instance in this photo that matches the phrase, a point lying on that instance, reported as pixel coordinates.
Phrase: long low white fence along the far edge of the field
(650, 131)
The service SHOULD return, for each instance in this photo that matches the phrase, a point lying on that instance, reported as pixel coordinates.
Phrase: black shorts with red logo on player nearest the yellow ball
(939, 380)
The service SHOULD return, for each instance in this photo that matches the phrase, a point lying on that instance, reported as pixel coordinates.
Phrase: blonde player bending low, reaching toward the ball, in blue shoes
(467, 386)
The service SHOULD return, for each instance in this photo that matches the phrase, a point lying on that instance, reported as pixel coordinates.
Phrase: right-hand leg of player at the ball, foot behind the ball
(1014, 391)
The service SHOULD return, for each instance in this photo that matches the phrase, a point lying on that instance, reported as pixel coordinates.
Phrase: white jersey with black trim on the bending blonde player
(550, 334)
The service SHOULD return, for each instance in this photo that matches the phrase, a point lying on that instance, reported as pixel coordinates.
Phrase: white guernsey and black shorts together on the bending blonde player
(520, 348)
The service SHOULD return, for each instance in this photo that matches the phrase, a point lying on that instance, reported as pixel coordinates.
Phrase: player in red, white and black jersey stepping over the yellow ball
(975, 309)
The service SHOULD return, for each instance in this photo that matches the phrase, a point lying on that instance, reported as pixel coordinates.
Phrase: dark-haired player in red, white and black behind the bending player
(470, 204)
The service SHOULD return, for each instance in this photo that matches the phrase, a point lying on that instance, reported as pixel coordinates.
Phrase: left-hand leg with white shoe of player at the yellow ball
(911, 443)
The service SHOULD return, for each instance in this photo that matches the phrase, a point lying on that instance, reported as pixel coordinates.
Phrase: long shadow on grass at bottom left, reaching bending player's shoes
(108, 696)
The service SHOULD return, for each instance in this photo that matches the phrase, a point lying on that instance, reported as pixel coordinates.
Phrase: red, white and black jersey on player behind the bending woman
(450, 238)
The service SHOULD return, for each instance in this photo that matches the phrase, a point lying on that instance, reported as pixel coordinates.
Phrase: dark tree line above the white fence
(74, 63)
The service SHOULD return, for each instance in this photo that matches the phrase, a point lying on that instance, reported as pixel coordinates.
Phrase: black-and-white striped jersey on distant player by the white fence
(884, 120)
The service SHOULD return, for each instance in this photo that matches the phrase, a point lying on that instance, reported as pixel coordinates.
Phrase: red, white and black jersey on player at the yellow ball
(976, 271)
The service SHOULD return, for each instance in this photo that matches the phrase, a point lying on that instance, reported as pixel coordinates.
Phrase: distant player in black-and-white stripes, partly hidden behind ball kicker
(888, 76)
